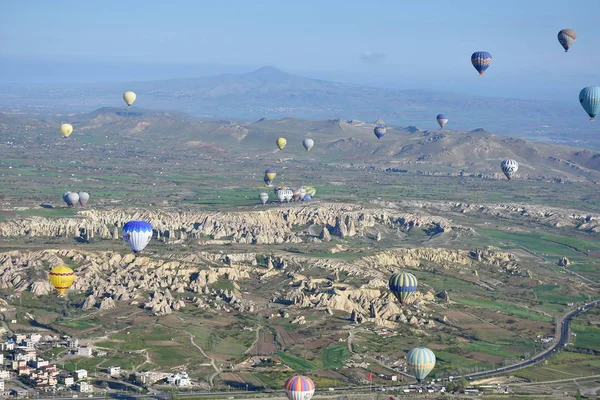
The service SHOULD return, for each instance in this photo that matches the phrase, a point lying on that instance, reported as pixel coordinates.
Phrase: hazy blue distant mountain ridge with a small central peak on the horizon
(269, 92)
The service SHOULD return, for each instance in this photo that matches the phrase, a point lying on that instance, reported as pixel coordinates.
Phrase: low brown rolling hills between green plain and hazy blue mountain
(338, 142)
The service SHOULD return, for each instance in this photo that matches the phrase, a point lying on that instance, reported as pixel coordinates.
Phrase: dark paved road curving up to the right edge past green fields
(563, 336)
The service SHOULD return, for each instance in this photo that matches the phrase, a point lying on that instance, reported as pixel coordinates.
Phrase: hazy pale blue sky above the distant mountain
(407, 44)
